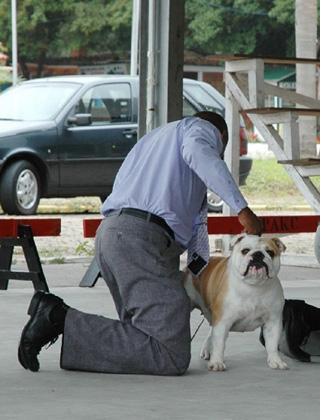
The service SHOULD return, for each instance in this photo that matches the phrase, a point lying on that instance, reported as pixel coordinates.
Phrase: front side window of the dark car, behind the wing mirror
(108, 103)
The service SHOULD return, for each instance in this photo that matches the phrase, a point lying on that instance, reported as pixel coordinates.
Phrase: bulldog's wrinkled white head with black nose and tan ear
(256, 259)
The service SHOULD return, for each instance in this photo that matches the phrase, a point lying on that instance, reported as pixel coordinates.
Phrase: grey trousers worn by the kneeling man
(140, 264)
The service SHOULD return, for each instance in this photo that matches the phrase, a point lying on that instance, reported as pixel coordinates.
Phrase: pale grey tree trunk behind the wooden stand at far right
(306, 47)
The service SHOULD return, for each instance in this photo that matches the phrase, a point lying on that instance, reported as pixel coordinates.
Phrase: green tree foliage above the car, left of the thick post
(57, 28)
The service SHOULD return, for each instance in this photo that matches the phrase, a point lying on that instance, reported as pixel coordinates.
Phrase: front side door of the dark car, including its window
(91, 155)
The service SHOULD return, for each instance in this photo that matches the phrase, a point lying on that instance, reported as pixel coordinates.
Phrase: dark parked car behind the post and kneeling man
(67, 136)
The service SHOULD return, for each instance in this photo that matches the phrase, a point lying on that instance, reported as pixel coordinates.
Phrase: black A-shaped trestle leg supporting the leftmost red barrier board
(35, 274)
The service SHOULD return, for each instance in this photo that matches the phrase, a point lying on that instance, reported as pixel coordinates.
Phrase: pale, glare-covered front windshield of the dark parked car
(35, 102)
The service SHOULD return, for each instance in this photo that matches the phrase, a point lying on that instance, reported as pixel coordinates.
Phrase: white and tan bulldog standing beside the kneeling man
(240, 293)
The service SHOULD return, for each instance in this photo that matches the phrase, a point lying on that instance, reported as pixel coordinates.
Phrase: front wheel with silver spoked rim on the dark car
(20, 188)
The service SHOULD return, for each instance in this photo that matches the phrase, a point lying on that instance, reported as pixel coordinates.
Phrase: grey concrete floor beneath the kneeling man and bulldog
(248, 390)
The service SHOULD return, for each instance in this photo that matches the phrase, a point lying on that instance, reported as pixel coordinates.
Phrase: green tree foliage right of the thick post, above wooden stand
(238, 26)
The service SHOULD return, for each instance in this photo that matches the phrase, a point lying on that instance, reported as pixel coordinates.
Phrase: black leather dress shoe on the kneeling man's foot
(40, 329)
